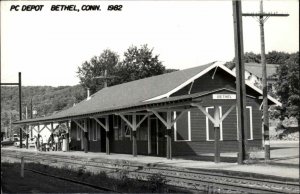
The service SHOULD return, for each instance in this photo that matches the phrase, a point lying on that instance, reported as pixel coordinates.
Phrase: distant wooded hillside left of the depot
(45, 99)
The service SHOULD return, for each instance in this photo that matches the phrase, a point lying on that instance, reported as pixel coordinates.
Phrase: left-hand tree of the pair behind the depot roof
(88, 71)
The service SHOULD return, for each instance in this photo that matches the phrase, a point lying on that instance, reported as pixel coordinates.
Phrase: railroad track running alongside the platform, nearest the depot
(195, 180)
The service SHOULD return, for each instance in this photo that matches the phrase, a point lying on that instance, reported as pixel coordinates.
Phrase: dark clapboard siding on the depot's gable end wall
(198, 143)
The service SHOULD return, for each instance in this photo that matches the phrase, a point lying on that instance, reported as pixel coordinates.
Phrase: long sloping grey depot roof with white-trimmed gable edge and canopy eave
(143, 92)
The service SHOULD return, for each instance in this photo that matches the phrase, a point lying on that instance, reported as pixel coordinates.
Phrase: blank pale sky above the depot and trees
(48, 46)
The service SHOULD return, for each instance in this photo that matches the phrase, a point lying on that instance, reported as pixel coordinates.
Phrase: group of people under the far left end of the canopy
(53, 143)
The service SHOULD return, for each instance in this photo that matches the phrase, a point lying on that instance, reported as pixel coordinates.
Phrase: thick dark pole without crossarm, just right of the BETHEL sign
(240, 78)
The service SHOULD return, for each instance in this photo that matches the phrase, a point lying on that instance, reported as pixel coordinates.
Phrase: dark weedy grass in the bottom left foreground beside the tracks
(120, 182)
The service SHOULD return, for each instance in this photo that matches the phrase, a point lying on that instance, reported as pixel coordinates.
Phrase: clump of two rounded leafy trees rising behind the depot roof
(138, 63)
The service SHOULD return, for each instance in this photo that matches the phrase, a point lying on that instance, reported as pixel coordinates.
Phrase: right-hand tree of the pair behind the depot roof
(138, 63)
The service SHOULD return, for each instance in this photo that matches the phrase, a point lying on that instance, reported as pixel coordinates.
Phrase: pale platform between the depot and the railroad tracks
(284, 162)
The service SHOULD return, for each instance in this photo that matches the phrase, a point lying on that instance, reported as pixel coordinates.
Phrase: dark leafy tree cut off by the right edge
(288, 87)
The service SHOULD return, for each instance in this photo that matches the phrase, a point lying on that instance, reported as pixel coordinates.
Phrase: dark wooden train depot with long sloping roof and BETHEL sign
(183, 113)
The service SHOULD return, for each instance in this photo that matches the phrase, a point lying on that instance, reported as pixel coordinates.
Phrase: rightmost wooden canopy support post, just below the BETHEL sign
(217, 133)
